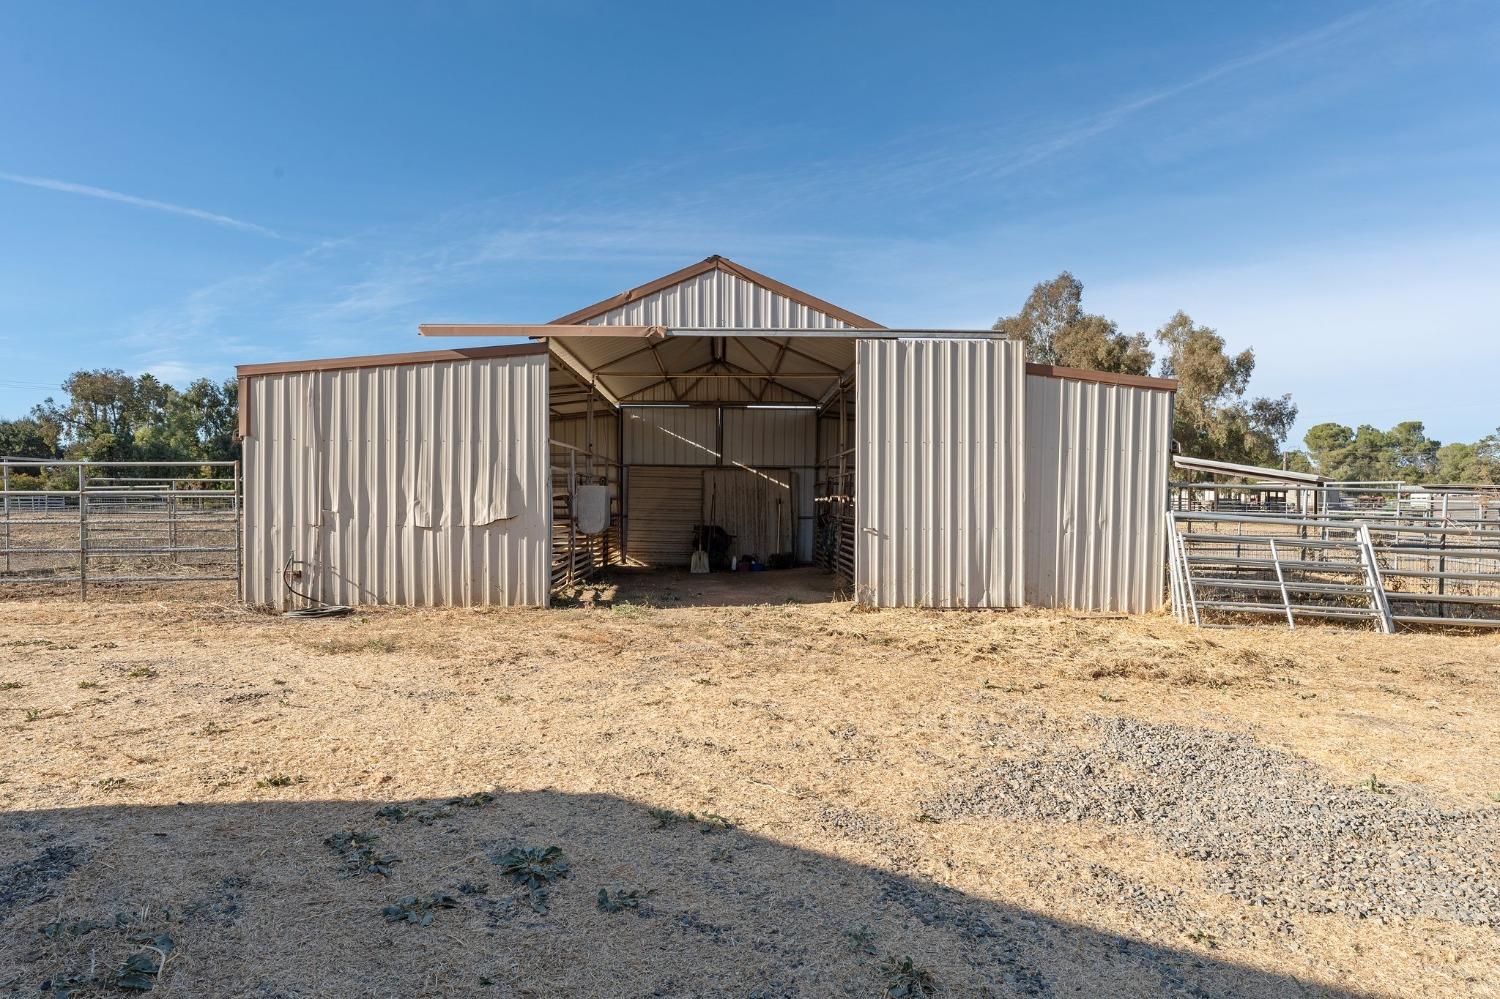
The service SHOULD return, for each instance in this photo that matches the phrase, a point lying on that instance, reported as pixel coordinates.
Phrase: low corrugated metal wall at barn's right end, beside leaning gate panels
(1097, 464)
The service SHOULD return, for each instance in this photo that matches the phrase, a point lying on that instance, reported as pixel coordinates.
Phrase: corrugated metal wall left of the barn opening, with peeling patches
(344, 469)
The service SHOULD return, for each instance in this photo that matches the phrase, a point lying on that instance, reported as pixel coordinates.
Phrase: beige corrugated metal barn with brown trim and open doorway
(917, 467)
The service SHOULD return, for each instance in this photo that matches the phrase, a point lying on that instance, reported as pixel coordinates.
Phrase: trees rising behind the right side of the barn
(1216, 418)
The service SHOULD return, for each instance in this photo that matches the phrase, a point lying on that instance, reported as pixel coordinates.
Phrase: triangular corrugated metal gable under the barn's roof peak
(718, 298)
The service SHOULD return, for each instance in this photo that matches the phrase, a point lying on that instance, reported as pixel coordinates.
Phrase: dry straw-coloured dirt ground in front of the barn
(788, 799)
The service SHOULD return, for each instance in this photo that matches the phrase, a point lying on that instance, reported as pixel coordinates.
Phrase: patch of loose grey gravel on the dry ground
(1271, 829)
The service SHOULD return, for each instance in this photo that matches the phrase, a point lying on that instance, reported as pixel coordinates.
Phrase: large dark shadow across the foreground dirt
(268, 899)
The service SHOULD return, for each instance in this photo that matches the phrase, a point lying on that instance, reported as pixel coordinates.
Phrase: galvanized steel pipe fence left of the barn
(82, 526)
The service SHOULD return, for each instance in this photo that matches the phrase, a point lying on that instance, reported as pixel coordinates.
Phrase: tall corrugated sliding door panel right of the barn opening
(940, 473)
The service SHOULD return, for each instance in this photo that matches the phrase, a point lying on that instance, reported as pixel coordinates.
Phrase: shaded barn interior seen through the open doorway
(737, 445)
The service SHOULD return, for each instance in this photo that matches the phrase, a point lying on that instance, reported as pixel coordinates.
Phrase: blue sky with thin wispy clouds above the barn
(187, 187)
